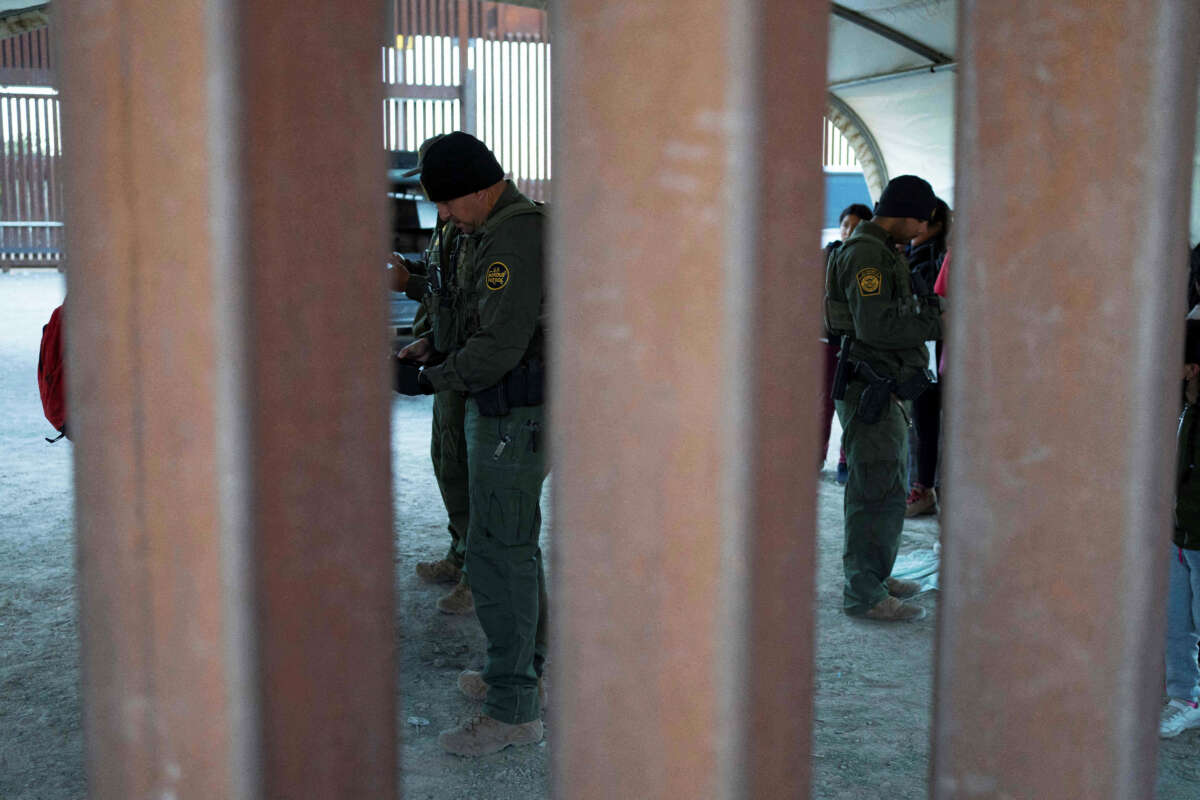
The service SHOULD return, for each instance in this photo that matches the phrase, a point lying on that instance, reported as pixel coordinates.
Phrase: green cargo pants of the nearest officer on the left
(507, 468)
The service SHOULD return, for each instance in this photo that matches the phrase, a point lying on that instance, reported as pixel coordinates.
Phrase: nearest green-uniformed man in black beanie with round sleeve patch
(488, 345)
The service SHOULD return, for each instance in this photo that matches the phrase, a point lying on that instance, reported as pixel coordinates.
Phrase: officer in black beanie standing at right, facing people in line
(883, 366)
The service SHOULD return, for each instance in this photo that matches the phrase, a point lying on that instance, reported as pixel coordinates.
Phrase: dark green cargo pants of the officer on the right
(875, 498)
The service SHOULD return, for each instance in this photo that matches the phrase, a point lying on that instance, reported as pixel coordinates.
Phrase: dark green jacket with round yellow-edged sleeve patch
(497, 308)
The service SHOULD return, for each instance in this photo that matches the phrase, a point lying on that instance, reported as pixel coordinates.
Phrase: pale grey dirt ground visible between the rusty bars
(872, 714)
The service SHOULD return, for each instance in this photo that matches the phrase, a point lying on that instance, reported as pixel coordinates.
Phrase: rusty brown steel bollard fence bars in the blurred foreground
(681, 677)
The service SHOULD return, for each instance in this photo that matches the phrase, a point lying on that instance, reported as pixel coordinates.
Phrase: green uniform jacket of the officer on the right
(871, 281)
